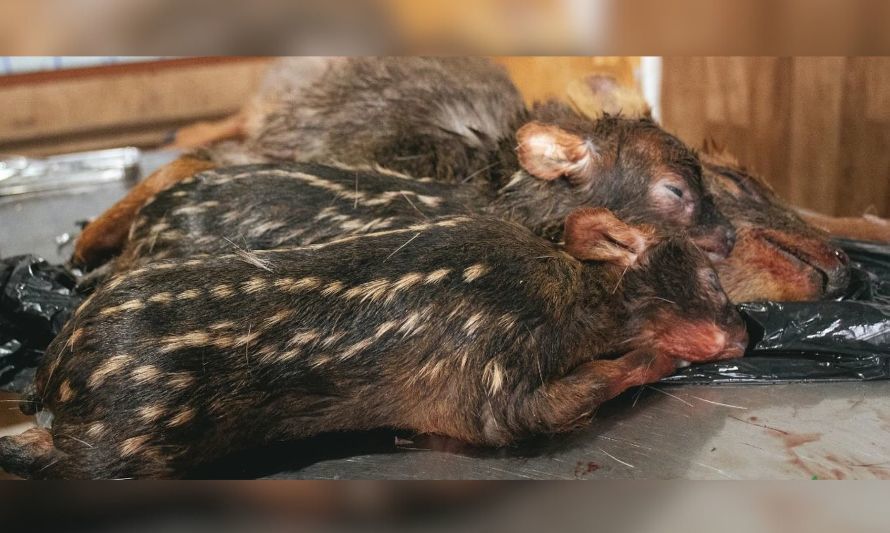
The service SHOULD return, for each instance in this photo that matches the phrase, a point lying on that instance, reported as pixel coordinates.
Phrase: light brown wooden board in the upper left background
(130, 104)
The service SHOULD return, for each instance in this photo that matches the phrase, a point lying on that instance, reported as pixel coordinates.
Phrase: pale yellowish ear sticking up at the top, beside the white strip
(601, 94)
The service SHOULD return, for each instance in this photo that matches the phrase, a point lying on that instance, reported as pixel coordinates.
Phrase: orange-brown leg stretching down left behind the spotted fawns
(105, 236)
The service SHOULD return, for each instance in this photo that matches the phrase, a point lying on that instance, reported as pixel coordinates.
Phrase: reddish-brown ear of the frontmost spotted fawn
(595, 234)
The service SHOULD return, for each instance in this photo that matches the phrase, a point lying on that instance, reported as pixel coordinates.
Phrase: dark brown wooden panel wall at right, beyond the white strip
(817, 128)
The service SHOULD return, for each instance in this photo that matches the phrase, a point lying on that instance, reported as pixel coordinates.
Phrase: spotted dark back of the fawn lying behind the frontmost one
(256, 207)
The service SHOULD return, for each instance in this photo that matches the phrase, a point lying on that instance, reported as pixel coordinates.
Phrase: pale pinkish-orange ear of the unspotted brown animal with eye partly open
(549, 152)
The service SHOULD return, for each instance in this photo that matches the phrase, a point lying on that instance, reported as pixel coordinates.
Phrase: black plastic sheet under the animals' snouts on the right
(842, 340)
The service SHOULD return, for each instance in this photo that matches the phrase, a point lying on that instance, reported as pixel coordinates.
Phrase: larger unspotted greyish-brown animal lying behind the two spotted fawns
(456, 121)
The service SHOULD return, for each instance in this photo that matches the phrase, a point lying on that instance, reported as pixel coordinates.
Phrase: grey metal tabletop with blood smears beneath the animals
(796, 431)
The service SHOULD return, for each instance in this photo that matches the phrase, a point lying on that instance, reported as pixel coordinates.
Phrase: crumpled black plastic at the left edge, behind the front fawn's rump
(36, 299)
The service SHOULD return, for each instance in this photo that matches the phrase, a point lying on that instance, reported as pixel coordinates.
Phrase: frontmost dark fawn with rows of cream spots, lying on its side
(466, 326)
